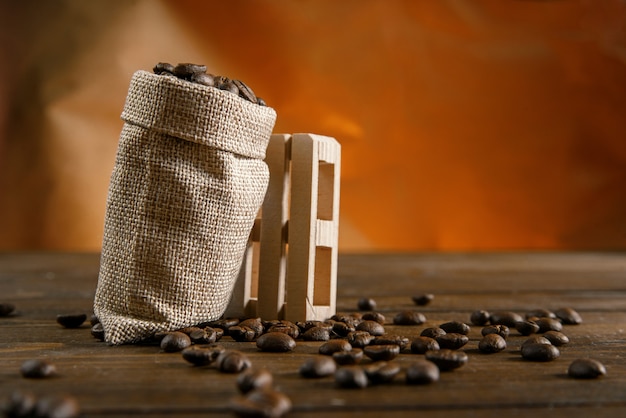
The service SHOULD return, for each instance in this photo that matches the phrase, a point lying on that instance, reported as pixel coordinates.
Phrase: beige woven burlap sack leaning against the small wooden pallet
(188, 181)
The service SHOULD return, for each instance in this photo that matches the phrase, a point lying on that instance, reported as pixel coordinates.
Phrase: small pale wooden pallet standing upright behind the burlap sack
(290, 268)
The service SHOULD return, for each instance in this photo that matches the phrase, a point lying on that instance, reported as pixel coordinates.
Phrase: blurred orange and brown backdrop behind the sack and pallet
(465, 125)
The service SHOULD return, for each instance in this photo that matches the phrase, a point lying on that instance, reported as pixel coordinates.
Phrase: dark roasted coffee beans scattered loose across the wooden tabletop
(354, 349)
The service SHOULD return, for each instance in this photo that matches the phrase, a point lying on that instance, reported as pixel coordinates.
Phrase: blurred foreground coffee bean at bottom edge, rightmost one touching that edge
(261, 403)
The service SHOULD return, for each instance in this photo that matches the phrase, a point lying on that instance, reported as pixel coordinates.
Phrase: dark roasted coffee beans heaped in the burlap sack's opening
(196, 73)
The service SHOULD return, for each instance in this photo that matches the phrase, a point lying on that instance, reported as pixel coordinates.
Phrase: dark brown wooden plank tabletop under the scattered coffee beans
(141, 380)
